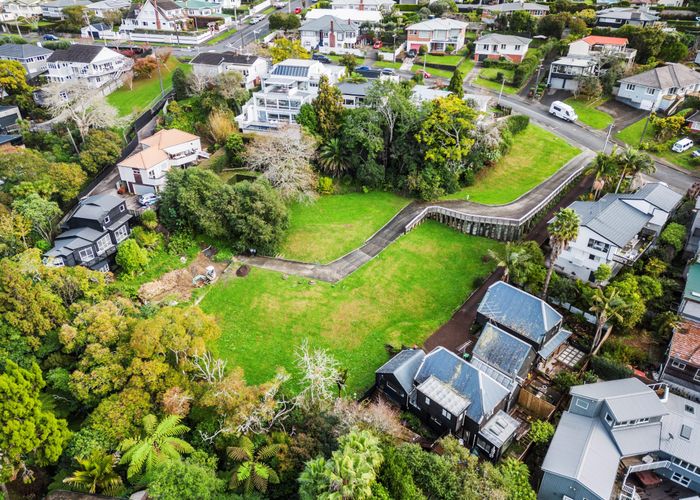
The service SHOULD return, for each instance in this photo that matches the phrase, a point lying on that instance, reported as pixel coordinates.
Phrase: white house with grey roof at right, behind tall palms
(616, 229)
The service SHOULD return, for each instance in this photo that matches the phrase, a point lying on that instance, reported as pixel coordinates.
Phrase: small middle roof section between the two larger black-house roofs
(503, 351)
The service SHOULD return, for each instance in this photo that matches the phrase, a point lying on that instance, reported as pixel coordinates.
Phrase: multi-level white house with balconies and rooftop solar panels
(285, 88)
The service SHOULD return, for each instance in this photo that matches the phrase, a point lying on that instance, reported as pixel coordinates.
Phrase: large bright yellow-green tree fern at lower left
(160, 442)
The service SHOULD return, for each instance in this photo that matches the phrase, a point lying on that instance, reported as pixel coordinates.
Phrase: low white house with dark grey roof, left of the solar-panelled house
(211, 64)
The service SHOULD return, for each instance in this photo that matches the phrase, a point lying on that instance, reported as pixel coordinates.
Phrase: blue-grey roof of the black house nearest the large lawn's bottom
(482, 391)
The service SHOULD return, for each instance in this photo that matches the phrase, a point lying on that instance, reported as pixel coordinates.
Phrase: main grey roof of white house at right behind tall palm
(611, 218)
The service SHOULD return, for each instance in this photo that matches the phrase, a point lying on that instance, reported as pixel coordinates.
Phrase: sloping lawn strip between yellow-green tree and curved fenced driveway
(536, 155)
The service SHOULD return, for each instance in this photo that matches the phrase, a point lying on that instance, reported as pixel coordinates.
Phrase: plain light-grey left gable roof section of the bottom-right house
(581, 449)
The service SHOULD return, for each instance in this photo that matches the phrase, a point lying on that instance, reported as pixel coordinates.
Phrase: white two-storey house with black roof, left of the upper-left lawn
(98, 66)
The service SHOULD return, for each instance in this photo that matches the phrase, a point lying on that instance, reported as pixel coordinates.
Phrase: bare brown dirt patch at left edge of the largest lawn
(177, 285)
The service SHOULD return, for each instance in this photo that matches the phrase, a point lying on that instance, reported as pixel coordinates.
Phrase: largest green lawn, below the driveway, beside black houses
(400, 297)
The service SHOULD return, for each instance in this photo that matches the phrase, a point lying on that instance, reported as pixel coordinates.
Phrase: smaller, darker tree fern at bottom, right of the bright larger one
(252, 472)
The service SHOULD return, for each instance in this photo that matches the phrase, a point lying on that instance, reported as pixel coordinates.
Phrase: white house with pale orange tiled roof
(145, 171)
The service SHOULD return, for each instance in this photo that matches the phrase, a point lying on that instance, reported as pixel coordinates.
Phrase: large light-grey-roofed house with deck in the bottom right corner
(620, 438)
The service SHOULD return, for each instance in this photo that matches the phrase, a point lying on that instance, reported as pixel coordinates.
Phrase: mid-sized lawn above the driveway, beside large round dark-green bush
(336, 224)
